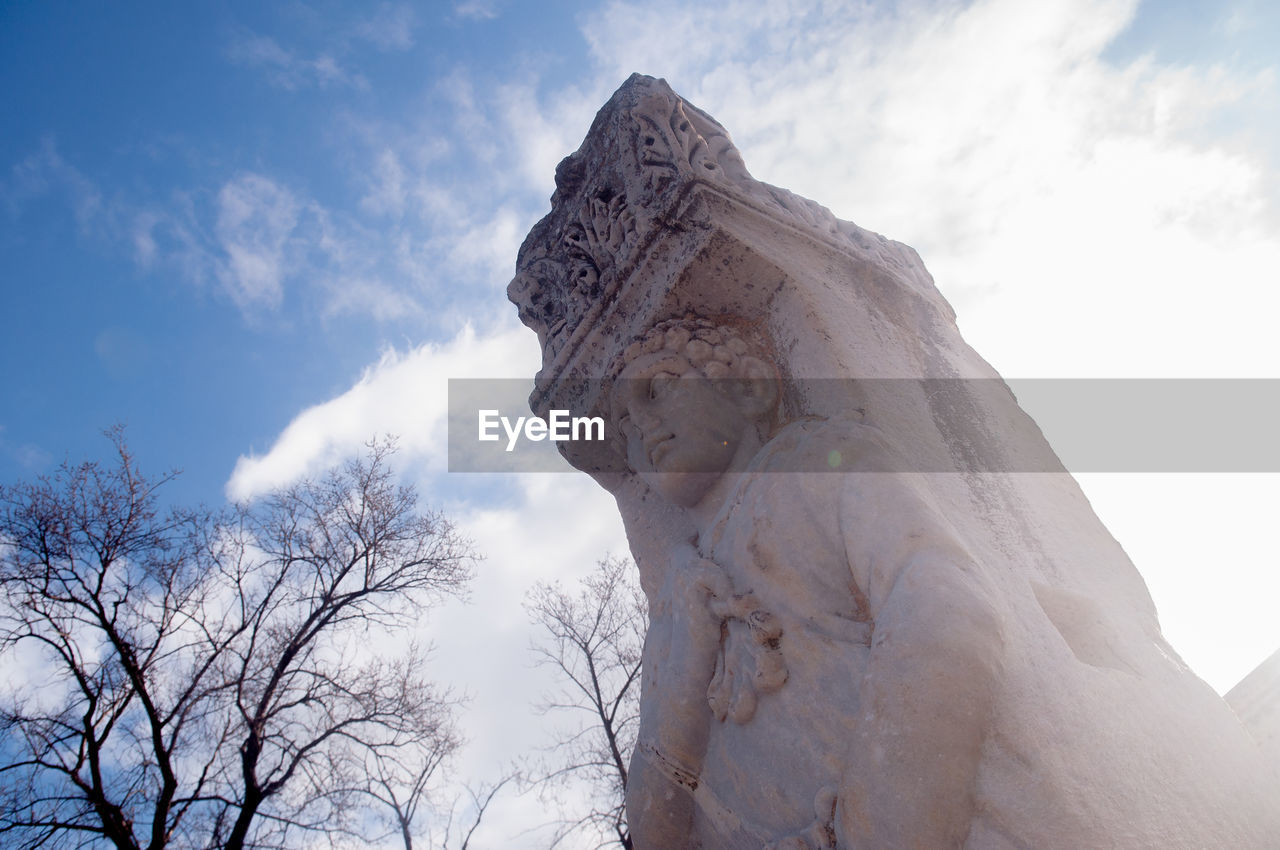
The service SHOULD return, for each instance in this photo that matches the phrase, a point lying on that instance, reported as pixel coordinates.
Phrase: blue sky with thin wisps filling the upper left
(136, 140)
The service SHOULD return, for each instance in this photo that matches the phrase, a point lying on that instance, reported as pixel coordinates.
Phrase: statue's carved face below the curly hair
(683, 431)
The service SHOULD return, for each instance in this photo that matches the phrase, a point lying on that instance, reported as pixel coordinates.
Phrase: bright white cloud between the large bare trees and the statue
(551, 527)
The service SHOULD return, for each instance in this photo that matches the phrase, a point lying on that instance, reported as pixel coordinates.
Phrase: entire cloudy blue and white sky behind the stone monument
(259, 235)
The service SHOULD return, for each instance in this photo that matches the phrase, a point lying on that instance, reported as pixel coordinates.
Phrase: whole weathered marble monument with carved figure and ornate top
(875, 657)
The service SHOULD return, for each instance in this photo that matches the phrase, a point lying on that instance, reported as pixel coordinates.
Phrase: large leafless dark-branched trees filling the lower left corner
(185, 679)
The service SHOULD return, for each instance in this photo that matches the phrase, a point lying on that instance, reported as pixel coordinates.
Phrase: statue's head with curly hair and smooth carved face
(692, 403)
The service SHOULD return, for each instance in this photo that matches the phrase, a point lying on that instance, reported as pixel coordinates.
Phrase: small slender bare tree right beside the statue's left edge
(595, 639)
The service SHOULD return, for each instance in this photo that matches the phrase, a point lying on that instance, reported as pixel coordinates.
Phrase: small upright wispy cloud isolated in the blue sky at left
(257, 218)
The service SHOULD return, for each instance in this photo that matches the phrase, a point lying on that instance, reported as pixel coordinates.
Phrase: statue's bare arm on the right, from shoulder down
(932, 675)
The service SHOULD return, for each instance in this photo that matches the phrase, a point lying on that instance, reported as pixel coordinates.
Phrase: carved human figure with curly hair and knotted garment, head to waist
(767, 588)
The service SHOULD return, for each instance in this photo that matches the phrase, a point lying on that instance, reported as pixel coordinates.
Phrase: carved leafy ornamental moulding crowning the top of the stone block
(646, 149)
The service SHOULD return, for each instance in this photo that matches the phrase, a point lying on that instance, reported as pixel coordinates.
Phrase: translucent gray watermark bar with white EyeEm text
(932, 426)
